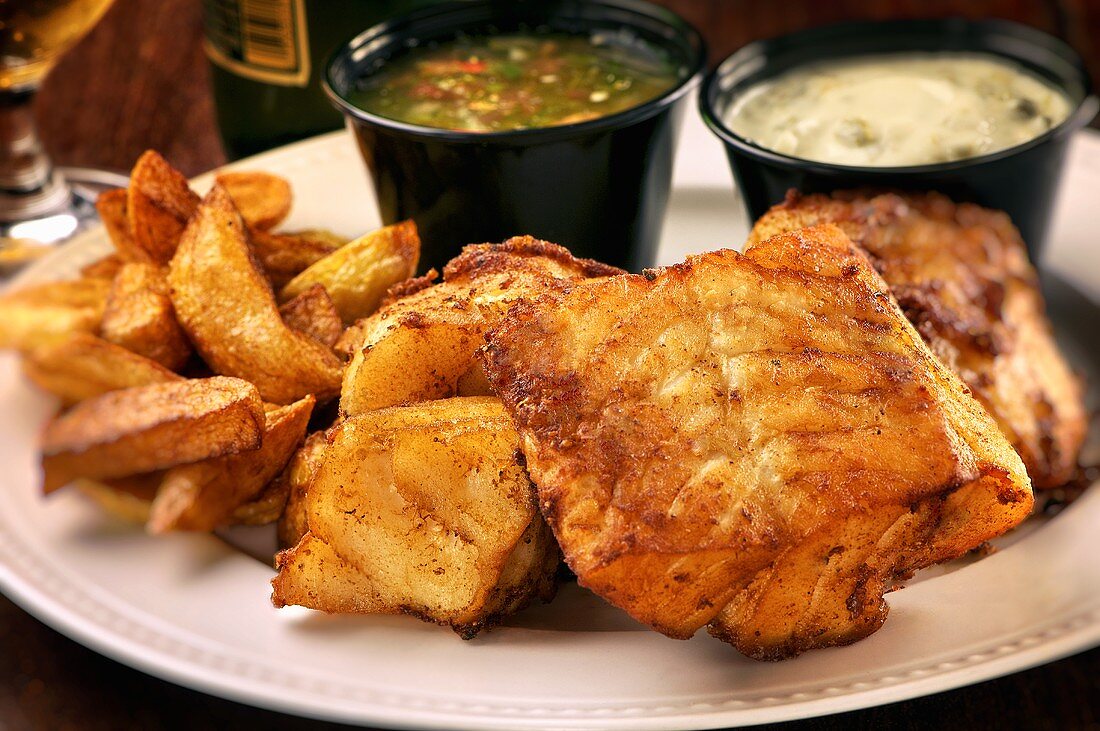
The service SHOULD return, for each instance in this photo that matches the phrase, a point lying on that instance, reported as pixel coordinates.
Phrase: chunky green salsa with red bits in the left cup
(518, 82)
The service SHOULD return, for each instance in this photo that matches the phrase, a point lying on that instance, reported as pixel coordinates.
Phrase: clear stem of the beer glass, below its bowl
(29, 185)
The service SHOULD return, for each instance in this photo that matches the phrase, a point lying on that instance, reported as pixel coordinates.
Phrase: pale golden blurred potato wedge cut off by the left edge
(43, 315)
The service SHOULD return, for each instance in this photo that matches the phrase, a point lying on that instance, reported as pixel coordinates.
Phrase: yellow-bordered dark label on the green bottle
(261, 40)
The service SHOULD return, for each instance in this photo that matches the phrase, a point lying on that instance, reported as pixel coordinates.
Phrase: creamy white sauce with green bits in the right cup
(887, 112)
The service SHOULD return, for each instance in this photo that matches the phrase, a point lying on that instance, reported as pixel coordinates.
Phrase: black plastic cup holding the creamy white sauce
(1021, 181)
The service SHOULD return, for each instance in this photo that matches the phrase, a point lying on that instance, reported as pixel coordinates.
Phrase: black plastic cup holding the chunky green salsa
(599, 187)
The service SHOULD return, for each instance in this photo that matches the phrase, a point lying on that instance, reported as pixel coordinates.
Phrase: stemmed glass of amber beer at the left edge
(40, 205)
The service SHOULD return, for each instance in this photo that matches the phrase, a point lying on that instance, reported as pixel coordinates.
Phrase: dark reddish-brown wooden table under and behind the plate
(139, 81)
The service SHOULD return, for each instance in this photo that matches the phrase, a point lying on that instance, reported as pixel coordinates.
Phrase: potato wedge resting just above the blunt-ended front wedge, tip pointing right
(83, 367)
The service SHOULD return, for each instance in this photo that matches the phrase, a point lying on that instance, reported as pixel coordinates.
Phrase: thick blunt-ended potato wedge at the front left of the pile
(149, 428)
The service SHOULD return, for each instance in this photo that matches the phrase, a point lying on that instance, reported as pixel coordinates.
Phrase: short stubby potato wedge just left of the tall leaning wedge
(140, 316)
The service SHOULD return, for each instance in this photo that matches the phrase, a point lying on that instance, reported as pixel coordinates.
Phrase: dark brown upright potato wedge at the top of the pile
(159, 204)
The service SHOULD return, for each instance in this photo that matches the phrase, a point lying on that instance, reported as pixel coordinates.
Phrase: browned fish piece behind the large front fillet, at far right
(962, 276)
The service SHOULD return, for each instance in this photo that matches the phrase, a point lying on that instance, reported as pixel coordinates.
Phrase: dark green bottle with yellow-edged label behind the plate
(268, 59)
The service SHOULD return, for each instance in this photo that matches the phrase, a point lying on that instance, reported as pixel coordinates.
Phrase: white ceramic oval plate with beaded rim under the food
(192, 610)
